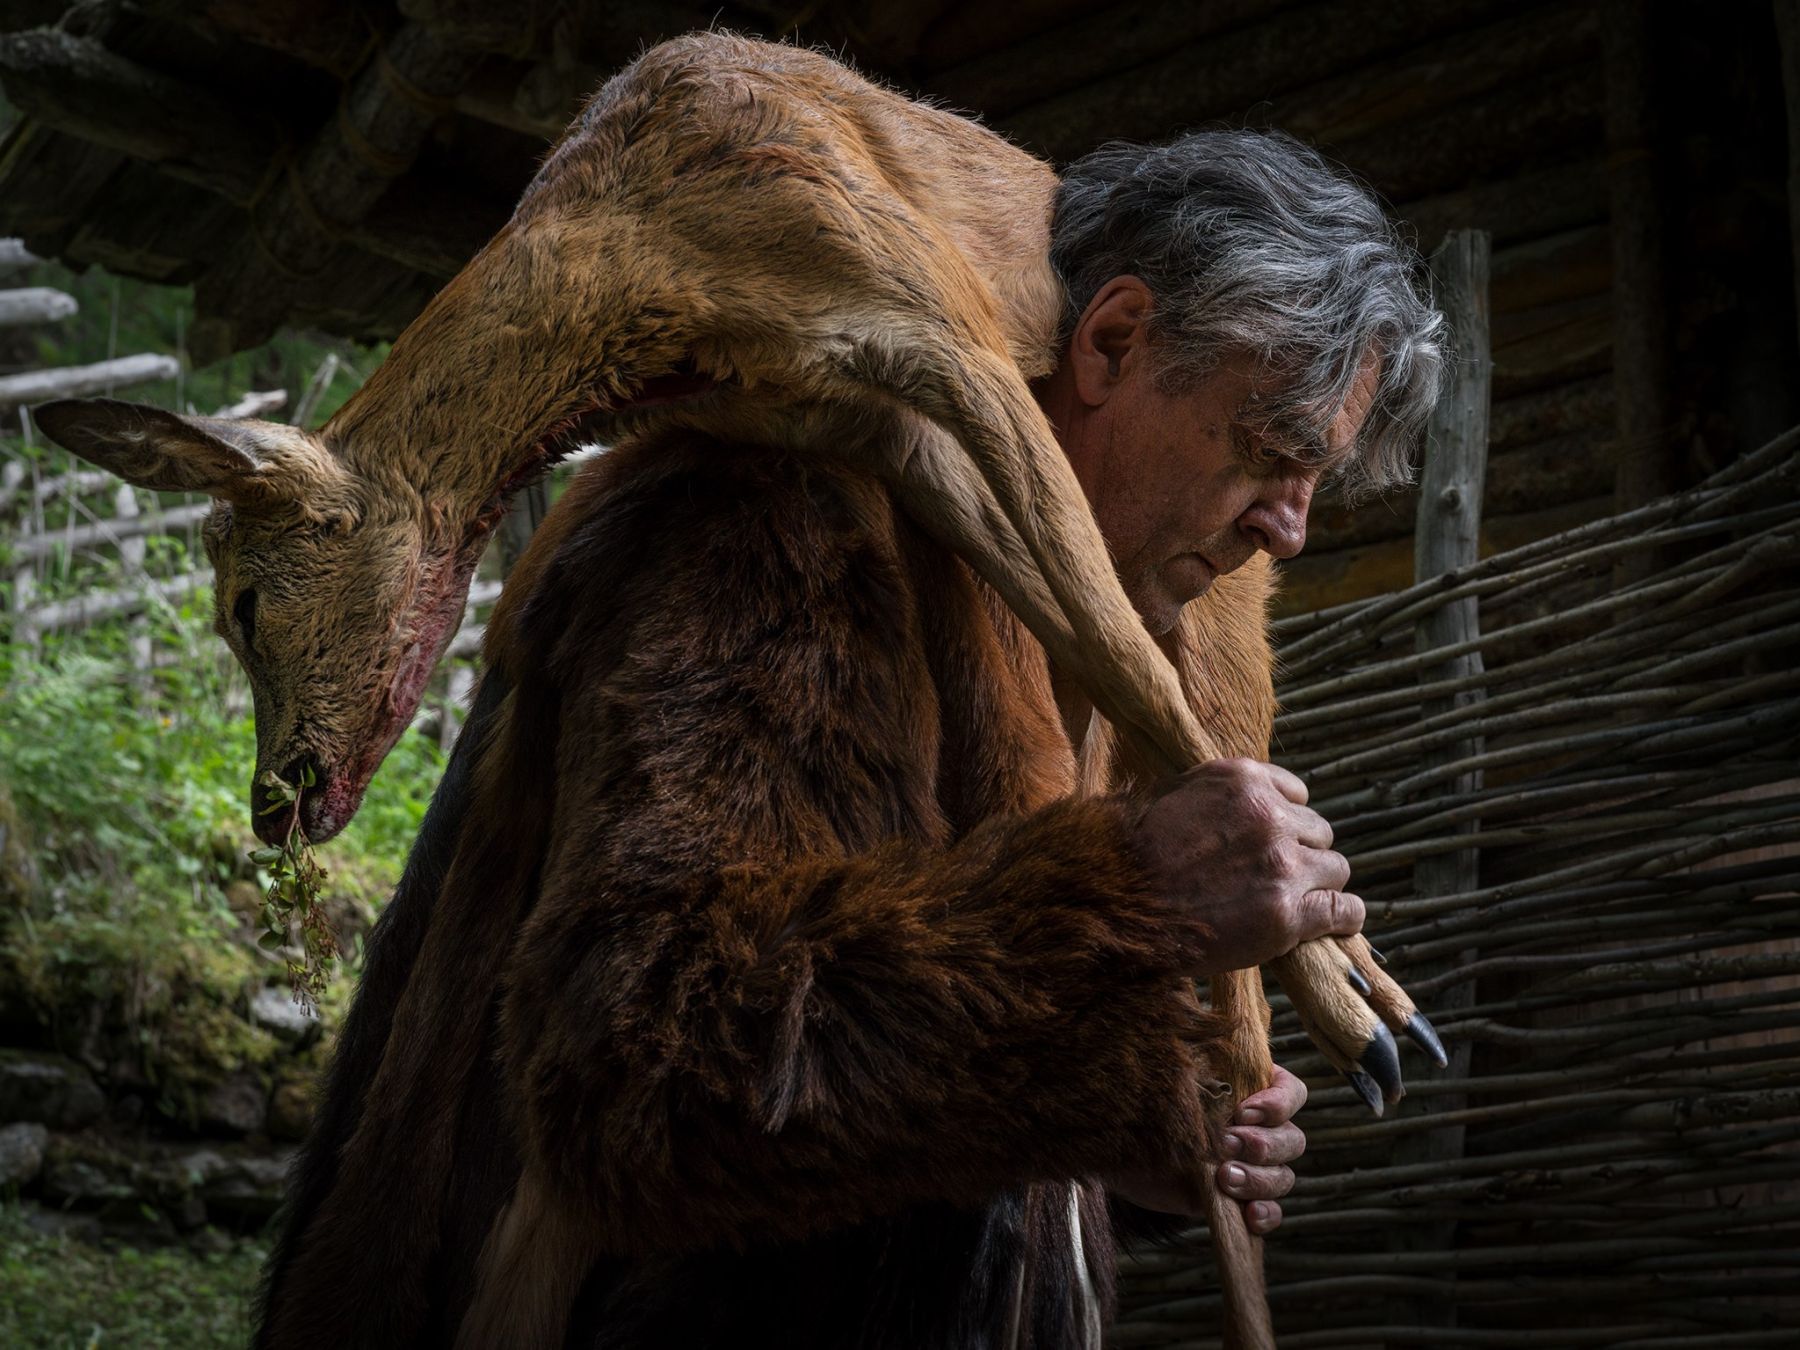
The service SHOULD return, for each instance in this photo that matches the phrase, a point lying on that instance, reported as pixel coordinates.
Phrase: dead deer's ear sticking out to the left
(157, 449)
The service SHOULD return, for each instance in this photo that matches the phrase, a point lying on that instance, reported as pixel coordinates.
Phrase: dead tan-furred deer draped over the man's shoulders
(742, 242)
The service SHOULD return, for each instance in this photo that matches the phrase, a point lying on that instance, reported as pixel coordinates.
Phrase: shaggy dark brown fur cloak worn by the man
(762, 912)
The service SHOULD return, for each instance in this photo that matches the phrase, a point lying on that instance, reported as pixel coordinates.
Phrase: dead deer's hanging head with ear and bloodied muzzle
(334, 588)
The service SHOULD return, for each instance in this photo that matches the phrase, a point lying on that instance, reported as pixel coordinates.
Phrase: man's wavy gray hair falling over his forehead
(1252, 242)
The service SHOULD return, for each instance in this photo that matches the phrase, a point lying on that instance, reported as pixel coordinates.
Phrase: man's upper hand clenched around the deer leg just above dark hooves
(1236, 843)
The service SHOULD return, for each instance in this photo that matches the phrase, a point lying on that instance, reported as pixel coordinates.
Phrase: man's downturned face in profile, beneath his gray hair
(1185, 487)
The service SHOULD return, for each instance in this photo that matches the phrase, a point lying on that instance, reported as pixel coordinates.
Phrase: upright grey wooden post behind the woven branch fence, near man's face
(1448, 535)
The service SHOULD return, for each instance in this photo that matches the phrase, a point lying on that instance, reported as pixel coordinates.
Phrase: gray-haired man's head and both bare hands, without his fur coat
(1241, 323)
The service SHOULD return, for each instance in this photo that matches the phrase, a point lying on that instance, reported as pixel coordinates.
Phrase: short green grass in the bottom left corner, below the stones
(58, 1293)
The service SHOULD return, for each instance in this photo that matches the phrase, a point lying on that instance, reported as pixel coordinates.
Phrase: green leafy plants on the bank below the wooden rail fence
(132, 796)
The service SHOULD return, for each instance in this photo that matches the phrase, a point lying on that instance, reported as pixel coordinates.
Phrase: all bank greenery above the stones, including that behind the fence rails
(129, 903)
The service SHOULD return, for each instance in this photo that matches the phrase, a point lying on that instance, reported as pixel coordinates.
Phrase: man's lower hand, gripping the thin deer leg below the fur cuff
(1259, 1146)
